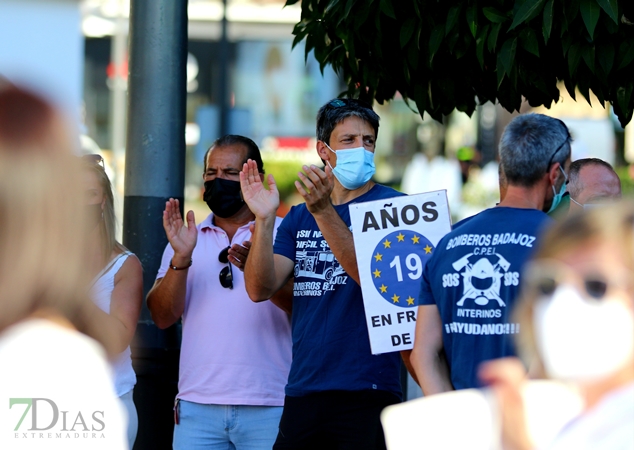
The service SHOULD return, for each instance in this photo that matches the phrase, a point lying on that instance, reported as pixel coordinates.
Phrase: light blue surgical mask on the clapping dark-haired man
(355, 167)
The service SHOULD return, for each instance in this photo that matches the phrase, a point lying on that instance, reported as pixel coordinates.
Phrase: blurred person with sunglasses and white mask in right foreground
(577, 316)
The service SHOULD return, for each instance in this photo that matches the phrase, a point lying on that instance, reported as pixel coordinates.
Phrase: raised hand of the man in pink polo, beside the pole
(182, 238)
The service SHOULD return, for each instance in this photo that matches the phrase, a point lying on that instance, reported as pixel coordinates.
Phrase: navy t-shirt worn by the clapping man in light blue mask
(331, 347)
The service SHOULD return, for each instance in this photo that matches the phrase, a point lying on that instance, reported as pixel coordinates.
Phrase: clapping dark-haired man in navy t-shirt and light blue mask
(336, 388)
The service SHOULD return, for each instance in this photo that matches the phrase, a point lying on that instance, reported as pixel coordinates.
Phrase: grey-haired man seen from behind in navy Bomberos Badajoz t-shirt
(470, 283)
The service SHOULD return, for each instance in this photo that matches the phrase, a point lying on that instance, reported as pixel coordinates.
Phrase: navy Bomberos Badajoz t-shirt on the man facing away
(473, 278)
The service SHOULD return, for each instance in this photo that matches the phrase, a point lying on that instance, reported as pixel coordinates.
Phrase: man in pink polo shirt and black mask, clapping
(235, 354)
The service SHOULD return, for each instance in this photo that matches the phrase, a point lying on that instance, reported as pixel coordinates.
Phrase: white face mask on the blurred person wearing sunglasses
(582, 340)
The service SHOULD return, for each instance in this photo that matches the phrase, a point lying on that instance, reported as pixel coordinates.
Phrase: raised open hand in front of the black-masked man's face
(262, 202)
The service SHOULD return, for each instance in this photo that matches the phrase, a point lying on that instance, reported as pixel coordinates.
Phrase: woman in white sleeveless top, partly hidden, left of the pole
(117, 286)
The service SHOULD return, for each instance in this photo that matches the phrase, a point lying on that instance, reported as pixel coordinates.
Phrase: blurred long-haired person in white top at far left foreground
(55, 381)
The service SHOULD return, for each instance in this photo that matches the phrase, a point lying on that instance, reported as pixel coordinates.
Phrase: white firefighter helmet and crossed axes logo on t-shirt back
(482, 280)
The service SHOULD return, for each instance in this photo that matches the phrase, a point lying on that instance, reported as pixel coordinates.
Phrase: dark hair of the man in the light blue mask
(335, 111)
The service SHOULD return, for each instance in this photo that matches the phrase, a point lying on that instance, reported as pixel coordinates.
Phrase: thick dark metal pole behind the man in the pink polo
(155, 171)
